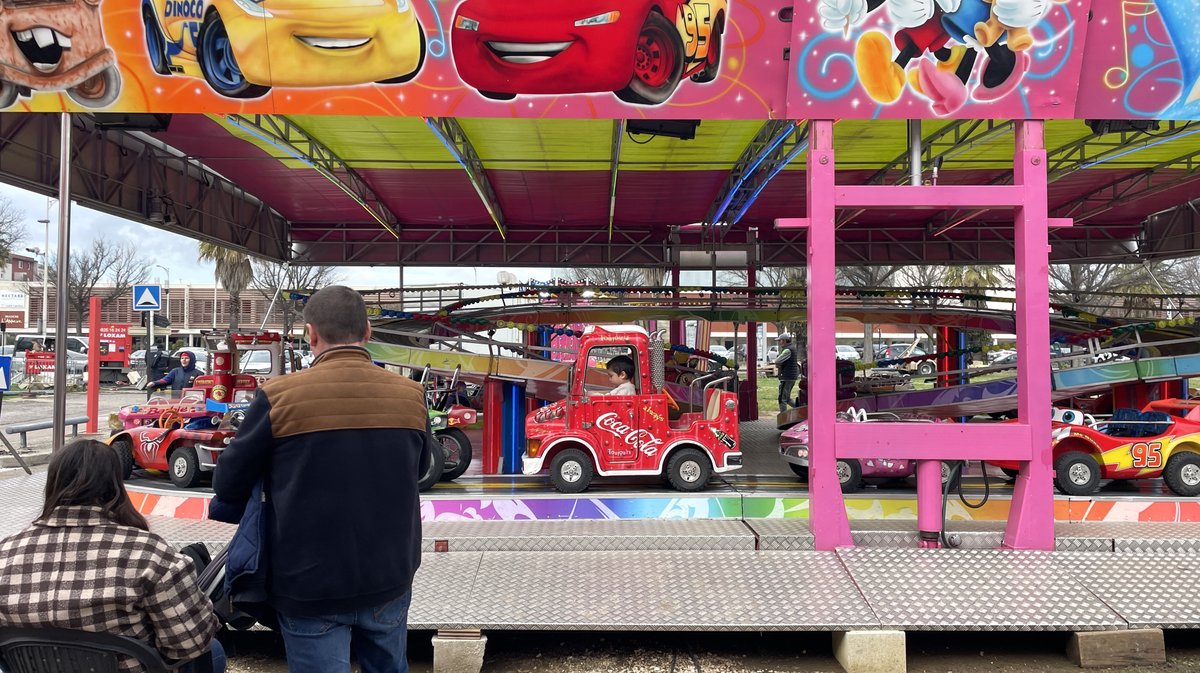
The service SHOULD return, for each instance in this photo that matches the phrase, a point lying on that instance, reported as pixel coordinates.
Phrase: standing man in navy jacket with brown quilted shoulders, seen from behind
(338, 449)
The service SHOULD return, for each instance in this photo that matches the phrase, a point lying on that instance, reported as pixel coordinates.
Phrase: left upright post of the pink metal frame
(827, 510)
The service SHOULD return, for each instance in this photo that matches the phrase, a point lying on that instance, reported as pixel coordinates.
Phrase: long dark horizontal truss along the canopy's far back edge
(453, 247)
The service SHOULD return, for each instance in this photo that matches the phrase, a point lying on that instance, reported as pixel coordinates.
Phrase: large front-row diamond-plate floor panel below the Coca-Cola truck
(668, 592)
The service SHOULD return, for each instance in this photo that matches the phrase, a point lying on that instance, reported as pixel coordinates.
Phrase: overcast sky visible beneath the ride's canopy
(179, 254)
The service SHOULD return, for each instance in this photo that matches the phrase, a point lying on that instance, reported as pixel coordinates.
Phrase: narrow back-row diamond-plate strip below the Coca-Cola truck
(589, 536)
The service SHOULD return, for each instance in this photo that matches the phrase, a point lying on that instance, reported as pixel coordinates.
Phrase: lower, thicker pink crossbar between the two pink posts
(962, 442)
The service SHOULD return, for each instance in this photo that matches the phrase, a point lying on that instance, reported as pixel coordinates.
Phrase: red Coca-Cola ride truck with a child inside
(595, 435)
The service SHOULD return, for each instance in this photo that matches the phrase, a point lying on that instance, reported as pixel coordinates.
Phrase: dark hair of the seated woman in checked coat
(89, 473)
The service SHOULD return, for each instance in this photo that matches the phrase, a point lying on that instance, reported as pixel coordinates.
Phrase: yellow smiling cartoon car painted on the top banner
(245, 47)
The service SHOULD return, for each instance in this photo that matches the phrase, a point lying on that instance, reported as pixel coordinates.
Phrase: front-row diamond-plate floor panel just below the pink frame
(976, 591)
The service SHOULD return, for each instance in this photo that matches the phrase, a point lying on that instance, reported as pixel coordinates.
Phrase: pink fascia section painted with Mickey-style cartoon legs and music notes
(909, 59)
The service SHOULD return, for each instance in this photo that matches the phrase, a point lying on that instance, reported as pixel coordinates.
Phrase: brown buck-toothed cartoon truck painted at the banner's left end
(57, 46)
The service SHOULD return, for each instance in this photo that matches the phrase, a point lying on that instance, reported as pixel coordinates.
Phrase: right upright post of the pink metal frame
(1031, 518)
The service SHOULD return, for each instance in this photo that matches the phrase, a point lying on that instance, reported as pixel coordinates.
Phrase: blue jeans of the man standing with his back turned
(322, 645)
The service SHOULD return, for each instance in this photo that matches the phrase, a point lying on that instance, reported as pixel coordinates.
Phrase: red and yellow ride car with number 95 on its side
(1163, 441)
